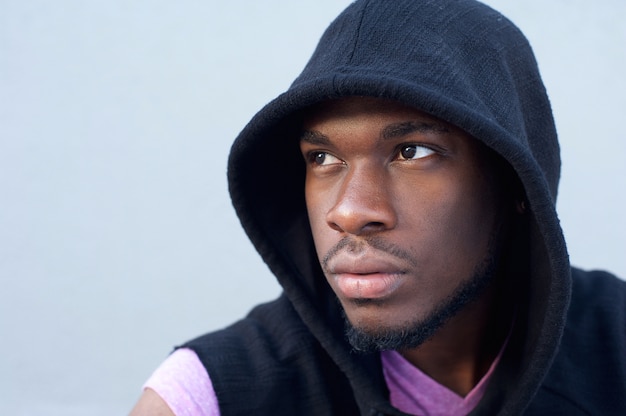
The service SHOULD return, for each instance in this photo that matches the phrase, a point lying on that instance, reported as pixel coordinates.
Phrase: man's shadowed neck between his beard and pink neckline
(461, 352)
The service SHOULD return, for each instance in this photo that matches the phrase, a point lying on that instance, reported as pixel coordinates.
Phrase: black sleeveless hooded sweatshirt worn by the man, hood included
(466, 64)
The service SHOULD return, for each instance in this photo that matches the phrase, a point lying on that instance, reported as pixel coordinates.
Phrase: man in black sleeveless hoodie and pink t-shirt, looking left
(403, 192)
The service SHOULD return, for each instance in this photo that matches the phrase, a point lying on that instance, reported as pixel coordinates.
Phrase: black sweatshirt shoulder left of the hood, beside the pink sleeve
(270, 363)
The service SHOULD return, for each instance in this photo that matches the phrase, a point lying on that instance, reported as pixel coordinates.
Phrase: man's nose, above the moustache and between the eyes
(364, 204)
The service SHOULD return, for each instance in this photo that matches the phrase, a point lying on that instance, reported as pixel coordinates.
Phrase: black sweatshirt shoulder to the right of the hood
(588, 375)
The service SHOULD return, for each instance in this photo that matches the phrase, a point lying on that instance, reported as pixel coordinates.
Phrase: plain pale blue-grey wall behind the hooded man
(117, 238)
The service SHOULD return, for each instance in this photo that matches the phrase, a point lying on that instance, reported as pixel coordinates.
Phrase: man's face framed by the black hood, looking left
(402, 210)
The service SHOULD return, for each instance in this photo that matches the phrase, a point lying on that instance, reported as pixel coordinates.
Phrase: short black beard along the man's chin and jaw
(413, 334)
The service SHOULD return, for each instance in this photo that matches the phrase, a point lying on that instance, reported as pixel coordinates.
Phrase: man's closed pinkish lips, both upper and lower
(366, 278)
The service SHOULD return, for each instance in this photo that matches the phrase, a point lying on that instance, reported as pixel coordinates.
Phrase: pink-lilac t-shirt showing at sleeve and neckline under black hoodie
(183, 383)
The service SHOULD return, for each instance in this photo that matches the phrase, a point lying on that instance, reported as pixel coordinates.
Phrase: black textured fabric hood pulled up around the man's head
(461, 62)
